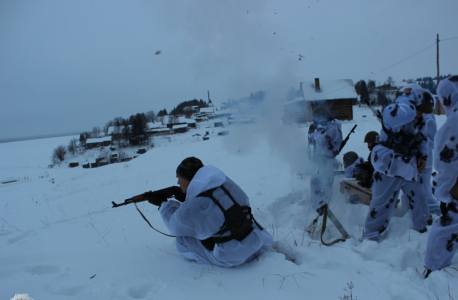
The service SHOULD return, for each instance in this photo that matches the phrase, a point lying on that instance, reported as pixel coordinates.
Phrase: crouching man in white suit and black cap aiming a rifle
(212, 219)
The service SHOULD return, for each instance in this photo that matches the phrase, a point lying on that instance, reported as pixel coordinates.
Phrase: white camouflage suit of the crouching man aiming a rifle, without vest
(199, 218)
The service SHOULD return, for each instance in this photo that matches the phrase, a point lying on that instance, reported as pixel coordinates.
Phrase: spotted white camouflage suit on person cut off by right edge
(443, 238)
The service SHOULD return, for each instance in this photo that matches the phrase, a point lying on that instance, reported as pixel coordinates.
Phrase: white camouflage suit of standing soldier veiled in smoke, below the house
(327, 140)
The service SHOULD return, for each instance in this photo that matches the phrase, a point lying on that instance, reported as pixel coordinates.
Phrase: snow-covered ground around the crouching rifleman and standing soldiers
(61, 239)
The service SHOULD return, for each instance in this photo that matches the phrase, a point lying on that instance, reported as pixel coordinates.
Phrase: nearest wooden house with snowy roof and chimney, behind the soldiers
(336, 95)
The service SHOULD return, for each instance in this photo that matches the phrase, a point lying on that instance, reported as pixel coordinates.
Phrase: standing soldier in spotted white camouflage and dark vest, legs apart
(398, 160)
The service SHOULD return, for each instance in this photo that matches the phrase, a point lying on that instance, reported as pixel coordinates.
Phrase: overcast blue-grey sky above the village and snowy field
(67, 66)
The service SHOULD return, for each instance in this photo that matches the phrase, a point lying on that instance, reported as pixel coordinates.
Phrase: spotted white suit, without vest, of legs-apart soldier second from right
(394, 171)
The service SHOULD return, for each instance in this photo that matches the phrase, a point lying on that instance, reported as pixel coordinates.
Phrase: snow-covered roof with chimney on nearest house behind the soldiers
(329, 90)
